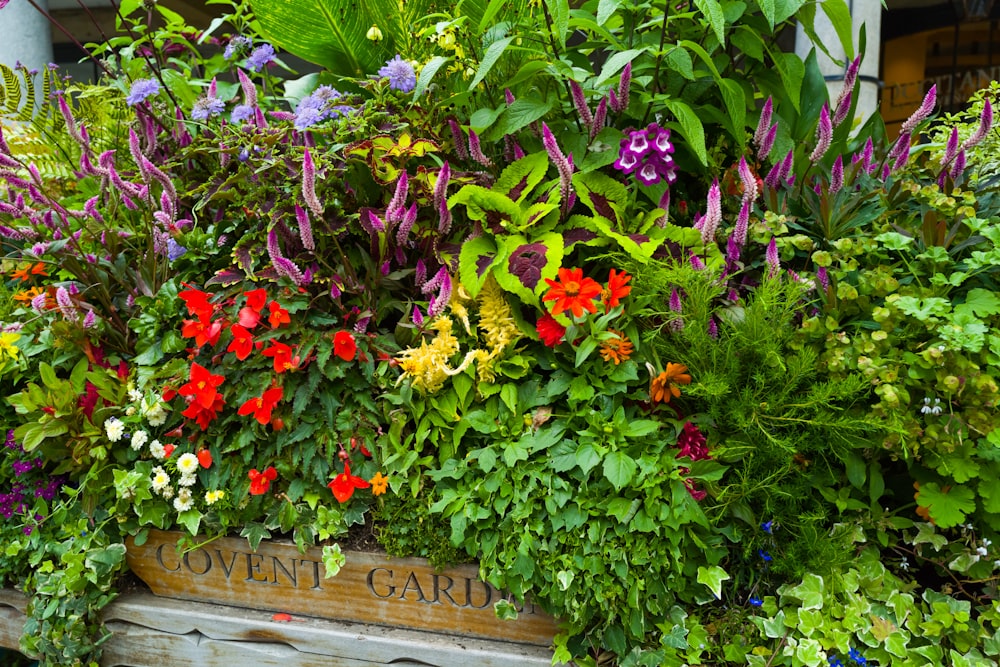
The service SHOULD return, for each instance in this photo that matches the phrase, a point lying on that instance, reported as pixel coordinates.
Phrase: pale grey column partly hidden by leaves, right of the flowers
(863, 12)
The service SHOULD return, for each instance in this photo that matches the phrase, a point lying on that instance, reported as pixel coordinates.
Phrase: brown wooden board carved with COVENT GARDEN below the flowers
(370, 588)
